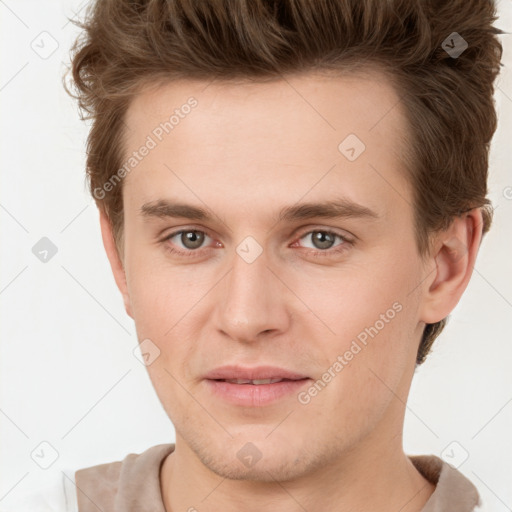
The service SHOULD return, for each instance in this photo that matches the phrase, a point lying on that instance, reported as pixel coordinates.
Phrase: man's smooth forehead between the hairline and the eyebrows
(297, 135)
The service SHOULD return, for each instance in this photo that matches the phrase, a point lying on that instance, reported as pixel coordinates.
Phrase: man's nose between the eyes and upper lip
(251, 301)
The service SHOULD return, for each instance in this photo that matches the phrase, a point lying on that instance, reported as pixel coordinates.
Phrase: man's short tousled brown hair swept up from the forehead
(126, 44)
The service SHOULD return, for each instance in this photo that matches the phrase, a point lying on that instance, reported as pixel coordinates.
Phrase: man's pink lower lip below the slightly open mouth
(255, 395)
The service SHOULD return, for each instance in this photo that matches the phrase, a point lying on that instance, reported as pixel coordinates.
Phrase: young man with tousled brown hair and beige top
(292, 198)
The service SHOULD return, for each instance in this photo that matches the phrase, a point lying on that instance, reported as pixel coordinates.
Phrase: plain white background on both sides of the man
(68, 373)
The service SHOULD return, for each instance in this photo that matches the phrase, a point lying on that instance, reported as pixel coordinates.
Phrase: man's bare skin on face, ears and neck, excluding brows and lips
(245, 151)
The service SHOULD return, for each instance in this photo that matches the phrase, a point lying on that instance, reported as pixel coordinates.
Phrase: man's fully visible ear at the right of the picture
(453, 259)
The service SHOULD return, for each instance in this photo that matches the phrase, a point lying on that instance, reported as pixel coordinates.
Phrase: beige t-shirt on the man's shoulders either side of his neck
(133, 485)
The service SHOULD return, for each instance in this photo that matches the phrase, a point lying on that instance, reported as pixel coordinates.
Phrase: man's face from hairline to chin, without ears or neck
(333, 299)
